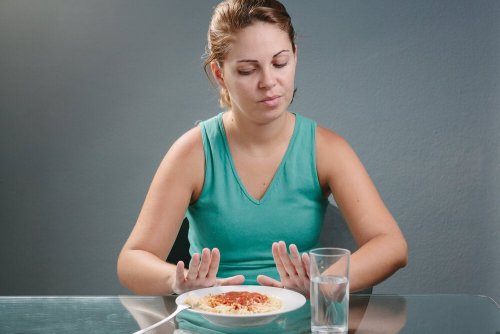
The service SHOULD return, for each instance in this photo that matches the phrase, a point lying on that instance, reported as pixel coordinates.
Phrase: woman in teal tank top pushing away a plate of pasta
(256, 177)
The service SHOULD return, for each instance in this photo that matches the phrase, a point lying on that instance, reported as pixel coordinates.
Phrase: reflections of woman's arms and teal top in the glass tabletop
(367, 314)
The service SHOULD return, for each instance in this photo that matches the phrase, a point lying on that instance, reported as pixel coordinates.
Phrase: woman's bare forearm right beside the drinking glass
(376, 260)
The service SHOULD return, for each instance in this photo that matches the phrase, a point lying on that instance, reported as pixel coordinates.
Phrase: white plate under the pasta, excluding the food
(290, 300)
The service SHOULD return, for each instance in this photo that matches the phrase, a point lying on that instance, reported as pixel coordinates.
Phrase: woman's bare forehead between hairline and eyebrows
(259, 40)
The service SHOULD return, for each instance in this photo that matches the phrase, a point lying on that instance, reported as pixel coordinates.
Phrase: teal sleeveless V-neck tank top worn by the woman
(226, 216)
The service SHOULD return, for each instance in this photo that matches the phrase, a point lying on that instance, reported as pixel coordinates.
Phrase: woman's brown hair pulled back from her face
(229, 17)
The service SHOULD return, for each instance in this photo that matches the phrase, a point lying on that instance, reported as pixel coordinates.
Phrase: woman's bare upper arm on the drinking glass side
(341, 172)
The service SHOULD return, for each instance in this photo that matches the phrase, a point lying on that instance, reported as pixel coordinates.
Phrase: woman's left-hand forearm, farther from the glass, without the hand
(144, 273)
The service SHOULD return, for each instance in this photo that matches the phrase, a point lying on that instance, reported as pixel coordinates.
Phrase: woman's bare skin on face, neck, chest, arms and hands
(258, 73)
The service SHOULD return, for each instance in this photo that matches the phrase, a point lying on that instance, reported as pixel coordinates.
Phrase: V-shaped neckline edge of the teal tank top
(276, 172)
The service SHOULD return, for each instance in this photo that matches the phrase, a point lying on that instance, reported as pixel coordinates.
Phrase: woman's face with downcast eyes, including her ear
(259, 72)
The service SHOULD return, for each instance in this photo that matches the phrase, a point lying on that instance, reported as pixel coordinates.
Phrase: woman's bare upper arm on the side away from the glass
(177, 182)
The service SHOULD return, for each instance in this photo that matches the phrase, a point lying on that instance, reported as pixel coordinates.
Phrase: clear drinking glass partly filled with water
(329, 273)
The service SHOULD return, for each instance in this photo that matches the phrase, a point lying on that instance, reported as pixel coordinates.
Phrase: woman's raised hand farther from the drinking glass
(202, 273)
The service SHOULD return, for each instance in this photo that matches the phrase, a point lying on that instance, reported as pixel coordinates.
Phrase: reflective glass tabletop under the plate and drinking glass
(127, 314)
